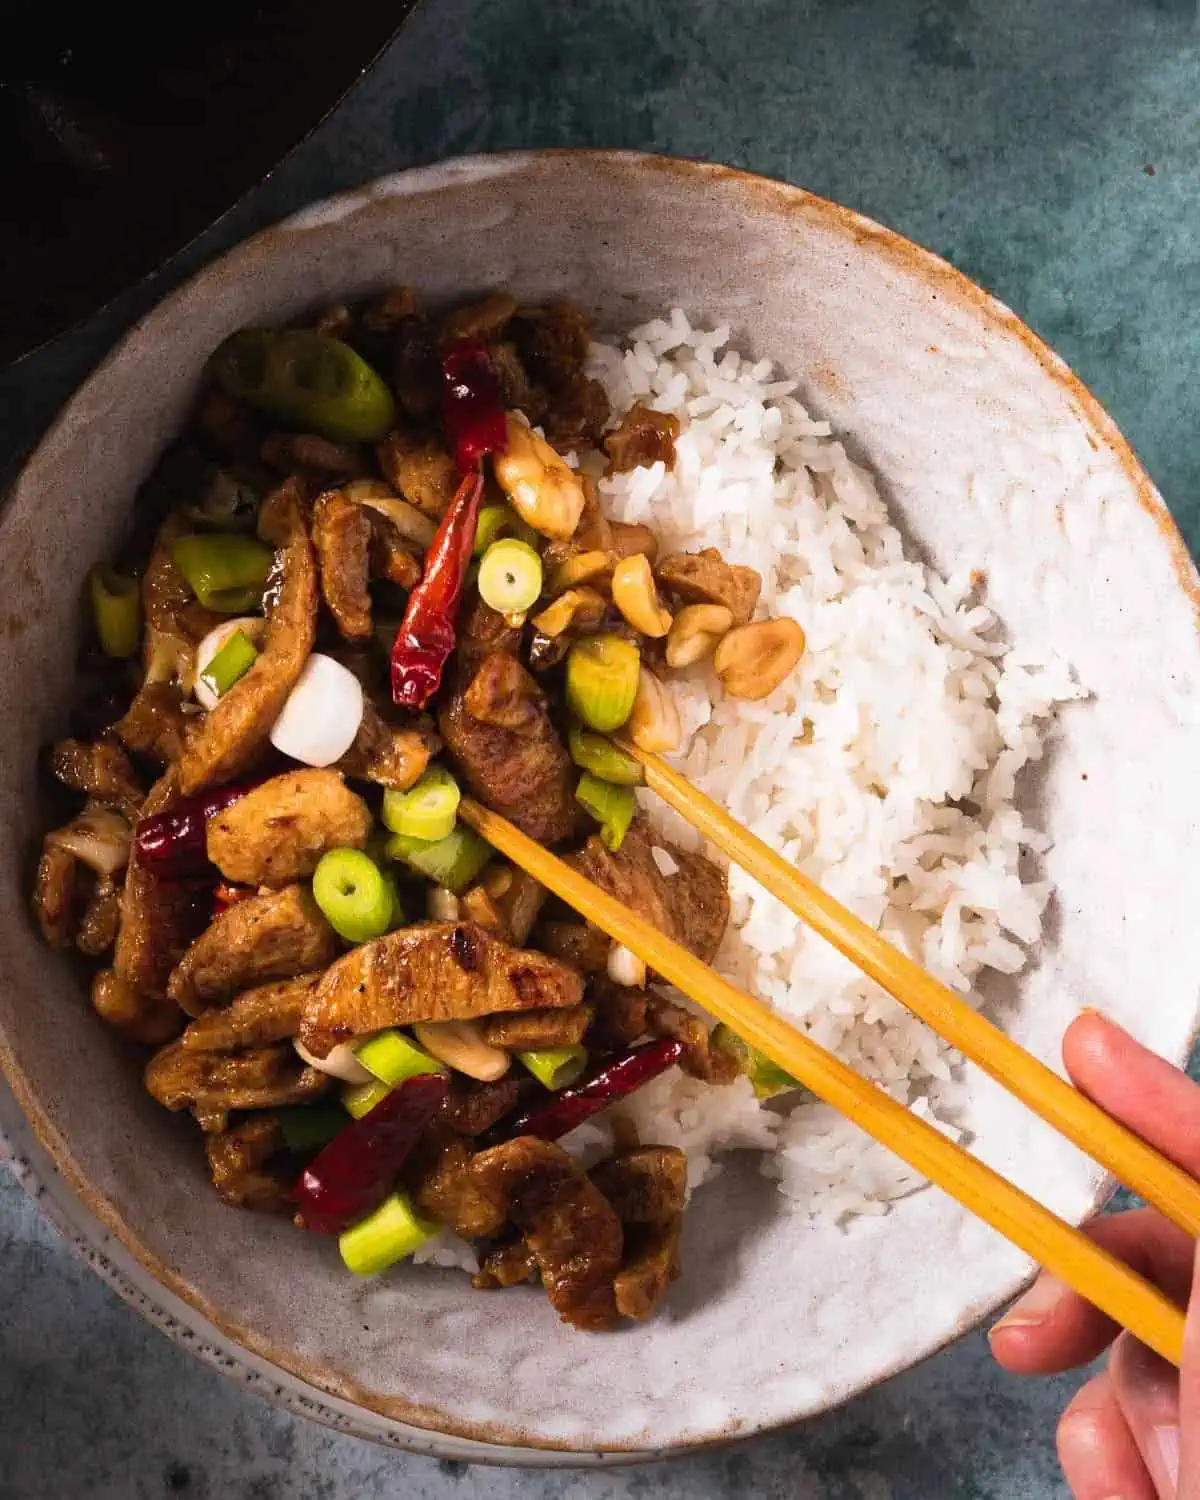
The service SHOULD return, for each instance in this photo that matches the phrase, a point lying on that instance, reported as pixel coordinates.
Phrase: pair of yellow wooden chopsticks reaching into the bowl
(1057, 1246)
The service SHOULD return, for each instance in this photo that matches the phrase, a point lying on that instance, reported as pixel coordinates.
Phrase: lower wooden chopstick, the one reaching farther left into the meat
(1075, 1259)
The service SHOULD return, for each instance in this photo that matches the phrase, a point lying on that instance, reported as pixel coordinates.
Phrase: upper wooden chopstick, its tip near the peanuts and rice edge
(1139, 1166)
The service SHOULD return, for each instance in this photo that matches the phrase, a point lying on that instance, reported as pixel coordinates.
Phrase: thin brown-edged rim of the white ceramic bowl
(781, 199)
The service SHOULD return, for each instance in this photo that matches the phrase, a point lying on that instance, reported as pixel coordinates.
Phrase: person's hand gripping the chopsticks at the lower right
(1133, 1432)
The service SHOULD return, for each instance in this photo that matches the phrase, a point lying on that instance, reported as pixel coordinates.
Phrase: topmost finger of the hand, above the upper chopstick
(1136, 1087)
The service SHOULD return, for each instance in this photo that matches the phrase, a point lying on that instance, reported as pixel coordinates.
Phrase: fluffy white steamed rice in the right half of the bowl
(884, 767)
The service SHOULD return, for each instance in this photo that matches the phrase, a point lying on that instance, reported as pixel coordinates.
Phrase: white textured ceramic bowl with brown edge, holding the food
(994, 457)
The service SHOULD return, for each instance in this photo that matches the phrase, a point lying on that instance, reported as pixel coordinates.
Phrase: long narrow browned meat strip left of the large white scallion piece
(233, 736)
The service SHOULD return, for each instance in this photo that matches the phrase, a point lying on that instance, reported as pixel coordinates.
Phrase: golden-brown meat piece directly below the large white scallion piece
(278, 833)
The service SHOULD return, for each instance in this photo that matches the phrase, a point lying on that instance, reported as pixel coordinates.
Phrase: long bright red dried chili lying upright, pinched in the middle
(473, 415)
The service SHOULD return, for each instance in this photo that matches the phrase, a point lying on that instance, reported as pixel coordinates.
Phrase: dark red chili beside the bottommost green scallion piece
(355, 1174)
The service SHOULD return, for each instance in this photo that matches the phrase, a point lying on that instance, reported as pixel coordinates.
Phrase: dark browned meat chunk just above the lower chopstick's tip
(527, 776)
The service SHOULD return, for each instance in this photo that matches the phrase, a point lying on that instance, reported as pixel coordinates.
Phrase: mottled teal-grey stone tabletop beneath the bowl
(1054, 154)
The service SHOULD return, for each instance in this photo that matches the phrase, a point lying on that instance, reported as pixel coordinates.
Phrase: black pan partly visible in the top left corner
(127, 130)
